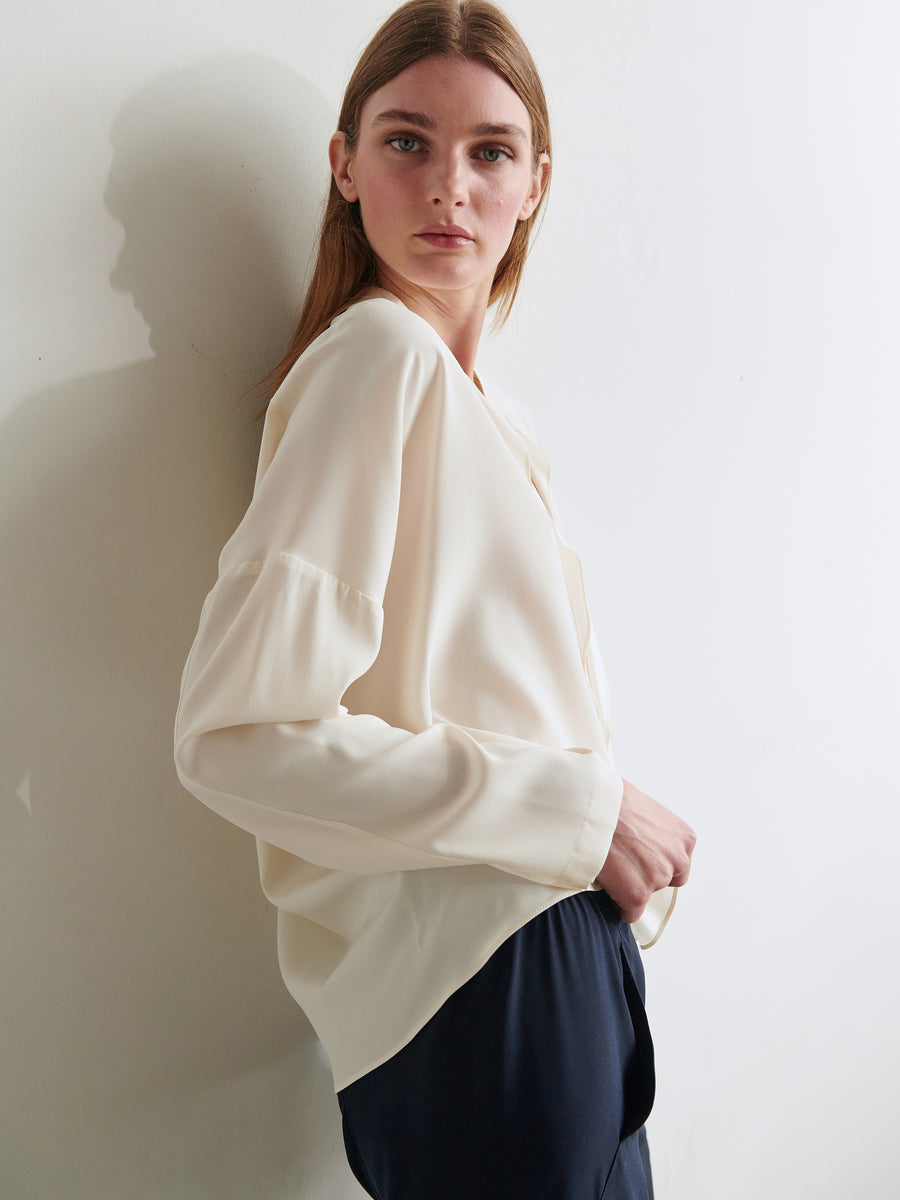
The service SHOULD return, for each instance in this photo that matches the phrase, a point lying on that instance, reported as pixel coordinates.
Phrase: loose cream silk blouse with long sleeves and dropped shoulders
(393, 686)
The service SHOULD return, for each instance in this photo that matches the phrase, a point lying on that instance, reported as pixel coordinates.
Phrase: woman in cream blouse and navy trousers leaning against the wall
(393, 685)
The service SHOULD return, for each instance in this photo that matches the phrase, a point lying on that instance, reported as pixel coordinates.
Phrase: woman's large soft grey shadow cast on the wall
(153, 1046)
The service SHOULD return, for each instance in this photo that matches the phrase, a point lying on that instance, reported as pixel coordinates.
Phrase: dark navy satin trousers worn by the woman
(532, 1082)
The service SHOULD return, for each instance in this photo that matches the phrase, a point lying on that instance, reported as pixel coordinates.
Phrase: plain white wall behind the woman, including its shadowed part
(721, 403)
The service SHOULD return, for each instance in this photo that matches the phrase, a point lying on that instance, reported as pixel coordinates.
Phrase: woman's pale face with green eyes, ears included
(443, 170)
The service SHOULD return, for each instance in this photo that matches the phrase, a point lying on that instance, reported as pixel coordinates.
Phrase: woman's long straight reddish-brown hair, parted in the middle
(466, 29)
